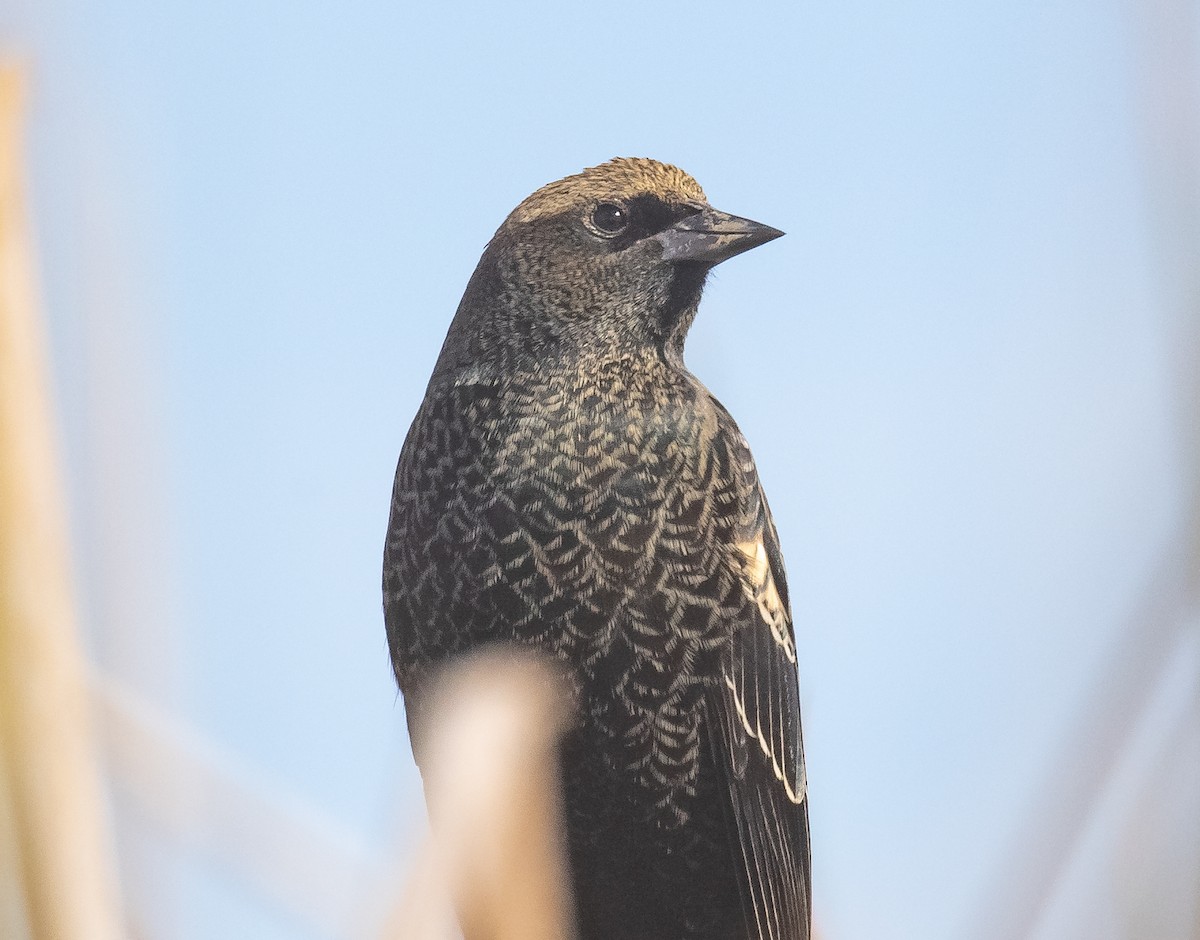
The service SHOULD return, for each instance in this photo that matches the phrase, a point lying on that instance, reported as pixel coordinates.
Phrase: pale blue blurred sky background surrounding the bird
(969, 375)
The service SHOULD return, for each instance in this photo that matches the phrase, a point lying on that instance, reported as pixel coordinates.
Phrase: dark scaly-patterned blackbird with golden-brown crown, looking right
(568, 484)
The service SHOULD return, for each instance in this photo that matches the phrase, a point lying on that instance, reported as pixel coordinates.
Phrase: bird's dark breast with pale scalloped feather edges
(587, 523)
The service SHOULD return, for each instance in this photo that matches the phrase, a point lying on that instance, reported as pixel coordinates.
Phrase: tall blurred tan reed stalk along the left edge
(57, 839)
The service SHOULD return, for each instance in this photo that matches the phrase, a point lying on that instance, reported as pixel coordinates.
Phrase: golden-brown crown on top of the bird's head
(621, 178)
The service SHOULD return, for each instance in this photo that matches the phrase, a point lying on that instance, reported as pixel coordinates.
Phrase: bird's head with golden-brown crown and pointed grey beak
(609, 260)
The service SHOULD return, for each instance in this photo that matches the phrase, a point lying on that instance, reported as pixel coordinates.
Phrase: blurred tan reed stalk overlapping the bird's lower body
(490, 768)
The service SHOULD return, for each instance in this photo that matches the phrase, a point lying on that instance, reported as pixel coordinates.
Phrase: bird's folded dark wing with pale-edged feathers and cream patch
(755, 721)
